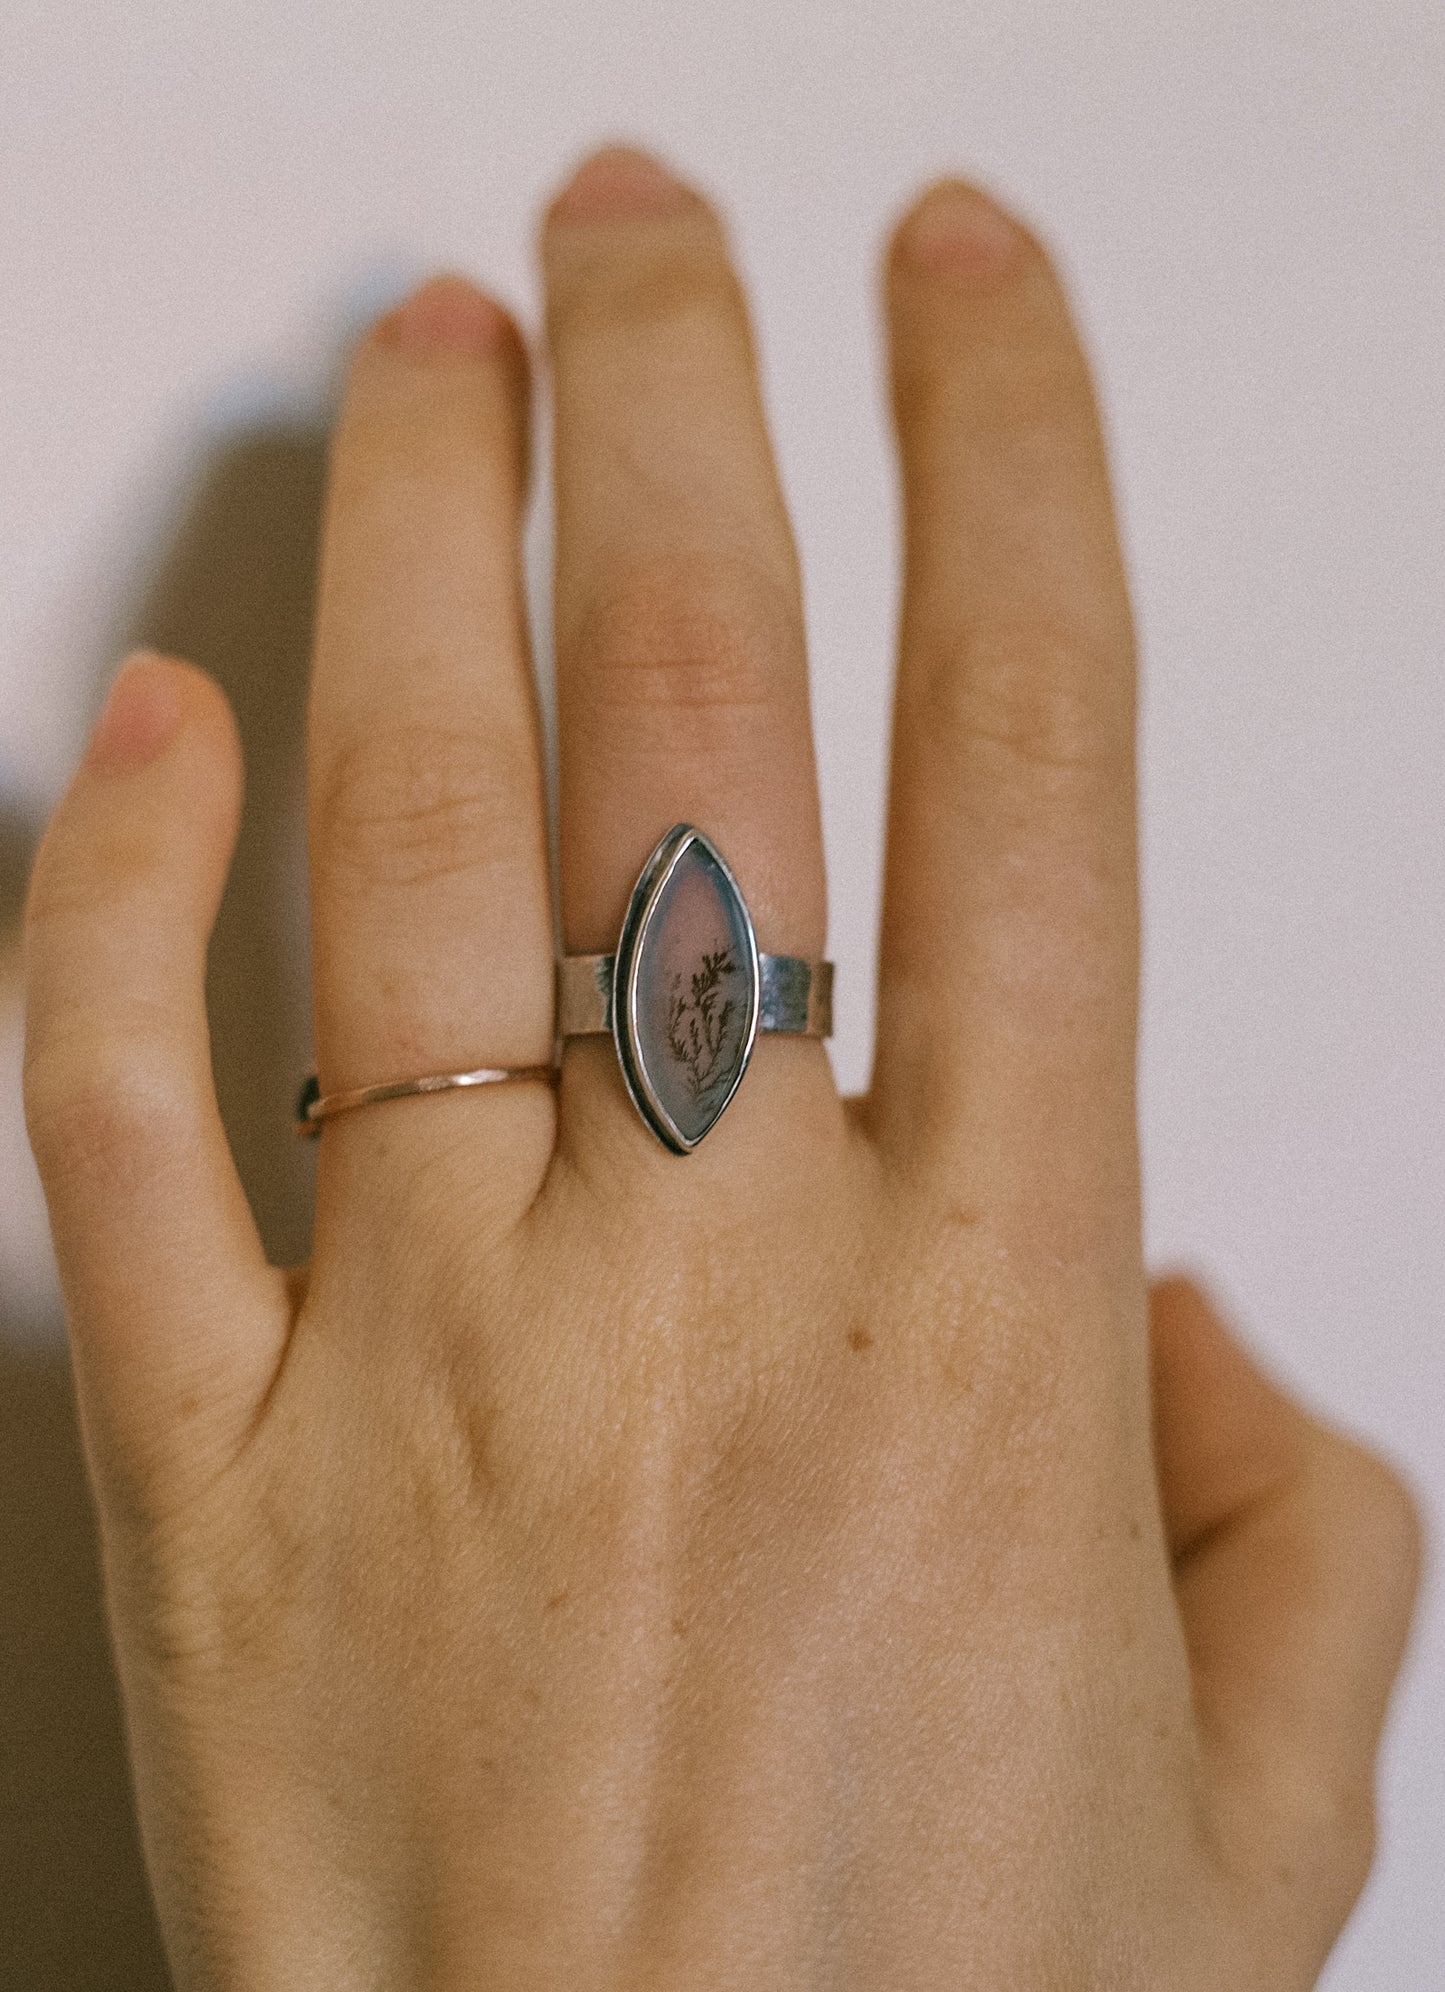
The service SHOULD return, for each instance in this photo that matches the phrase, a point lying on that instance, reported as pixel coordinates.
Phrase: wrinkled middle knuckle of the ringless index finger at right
(1033, 698)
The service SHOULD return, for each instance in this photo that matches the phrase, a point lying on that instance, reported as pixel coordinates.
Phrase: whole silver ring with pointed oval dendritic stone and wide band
(689, 991)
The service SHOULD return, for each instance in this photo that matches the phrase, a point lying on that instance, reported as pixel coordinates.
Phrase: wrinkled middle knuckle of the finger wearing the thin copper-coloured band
(418, 804)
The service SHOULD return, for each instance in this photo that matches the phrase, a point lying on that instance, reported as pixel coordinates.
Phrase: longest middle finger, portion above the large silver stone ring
(683, 684)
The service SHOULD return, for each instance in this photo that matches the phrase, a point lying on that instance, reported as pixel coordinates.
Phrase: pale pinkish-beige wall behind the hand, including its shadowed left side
(196, 206)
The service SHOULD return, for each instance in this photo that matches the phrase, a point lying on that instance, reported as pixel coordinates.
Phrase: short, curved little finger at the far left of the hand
(176, 1320)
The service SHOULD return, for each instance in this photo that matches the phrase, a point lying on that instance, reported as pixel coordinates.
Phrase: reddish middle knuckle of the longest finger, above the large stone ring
(709, 634)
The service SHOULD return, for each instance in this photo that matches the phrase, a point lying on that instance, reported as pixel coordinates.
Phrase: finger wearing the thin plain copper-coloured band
(432, 917)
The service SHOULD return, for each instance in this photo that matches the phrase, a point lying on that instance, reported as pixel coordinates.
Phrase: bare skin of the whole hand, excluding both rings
(818, 1563)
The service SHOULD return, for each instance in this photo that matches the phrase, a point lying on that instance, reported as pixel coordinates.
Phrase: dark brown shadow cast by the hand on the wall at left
(230, 589)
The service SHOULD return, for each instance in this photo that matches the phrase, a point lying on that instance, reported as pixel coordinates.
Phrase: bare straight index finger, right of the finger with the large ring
(1010, 935)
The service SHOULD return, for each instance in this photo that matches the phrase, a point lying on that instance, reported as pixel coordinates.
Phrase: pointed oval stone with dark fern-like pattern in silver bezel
(687, 989)
